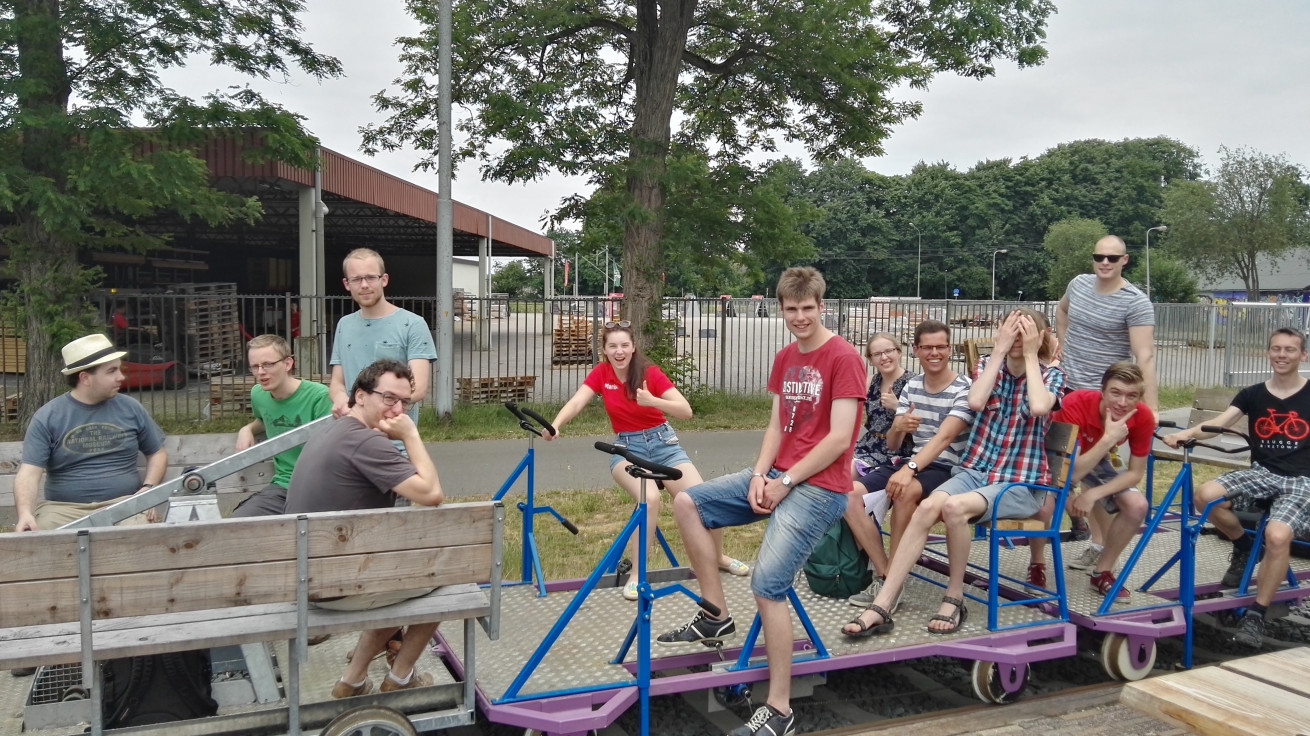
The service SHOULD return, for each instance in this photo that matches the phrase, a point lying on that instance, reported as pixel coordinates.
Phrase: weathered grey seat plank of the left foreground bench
(166, 633)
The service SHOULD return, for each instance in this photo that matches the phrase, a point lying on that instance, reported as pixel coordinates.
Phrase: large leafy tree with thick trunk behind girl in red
(590, 87)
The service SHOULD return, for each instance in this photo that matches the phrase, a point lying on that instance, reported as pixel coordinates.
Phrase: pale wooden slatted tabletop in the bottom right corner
(1260, 696)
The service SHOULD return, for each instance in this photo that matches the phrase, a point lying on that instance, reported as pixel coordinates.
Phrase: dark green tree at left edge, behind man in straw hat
(74, 77)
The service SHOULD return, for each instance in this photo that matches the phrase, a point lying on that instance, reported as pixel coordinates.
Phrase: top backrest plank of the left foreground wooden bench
(40, 556)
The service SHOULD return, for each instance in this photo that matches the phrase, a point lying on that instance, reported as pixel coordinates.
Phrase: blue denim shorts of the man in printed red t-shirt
(796, 526)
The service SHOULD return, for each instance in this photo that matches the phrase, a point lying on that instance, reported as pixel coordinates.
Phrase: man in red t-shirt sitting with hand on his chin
(1105, 420)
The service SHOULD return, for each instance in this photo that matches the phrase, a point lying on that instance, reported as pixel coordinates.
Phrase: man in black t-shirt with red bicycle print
(1278, 416)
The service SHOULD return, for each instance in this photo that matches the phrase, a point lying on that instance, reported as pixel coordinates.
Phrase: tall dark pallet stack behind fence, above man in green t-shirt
(213, 328)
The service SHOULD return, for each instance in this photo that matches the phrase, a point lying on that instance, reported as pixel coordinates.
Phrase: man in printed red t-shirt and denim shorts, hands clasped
(800, 480)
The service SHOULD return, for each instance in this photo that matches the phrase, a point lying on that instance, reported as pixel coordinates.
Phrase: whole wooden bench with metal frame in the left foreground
(176, 587)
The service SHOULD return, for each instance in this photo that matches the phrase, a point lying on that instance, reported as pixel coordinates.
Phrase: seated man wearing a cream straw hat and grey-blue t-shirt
(86, 443)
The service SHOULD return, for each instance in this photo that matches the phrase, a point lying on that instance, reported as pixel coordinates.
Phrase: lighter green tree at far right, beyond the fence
(1256, 205)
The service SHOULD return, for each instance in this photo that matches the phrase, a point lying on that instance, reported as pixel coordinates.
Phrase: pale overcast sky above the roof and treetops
(1206, 73)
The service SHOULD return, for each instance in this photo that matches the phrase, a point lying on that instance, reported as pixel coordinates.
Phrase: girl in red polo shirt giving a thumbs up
(637, 396)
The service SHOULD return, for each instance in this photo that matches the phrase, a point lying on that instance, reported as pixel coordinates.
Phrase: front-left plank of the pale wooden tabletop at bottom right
(1215, 701)
